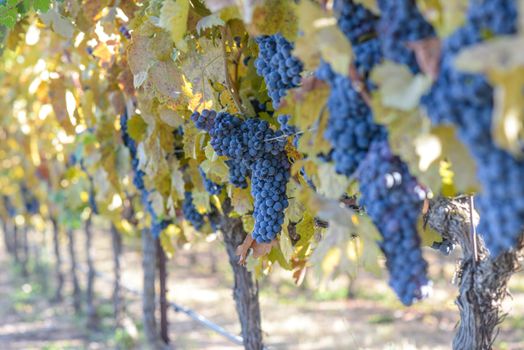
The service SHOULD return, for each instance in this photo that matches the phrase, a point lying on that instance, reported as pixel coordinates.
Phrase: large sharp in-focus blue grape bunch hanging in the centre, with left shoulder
(253, 148)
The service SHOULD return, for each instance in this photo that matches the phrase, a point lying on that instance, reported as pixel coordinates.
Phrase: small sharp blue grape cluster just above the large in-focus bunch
(280, 69)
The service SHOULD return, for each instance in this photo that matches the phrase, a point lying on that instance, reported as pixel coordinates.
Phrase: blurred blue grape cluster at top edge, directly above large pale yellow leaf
(401, 23)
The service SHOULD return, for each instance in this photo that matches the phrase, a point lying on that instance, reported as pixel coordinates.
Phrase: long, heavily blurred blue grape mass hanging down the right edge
(466, 100)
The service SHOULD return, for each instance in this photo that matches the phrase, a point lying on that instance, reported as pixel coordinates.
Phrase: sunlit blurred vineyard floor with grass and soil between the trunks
(304, 318)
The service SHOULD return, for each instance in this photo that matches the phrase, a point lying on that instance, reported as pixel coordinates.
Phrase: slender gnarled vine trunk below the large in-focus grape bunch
(245, 290)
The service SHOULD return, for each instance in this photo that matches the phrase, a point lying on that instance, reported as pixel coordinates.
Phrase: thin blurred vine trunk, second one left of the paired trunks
(91, 273)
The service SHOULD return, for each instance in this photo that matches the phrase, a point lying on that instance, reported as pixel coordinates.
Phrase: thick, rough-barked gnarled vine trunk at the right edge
(482, 280)
